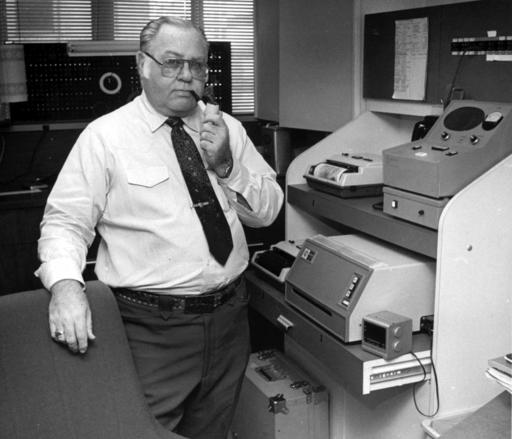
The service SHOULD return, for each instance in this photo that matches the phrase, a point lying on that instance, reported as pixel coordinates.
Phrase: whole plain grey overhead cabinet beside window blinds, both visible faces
(308, 82)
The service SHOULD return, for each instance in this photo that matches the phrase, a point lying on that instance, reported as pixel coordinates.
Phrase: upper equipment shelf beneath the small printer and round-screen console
(359, 214)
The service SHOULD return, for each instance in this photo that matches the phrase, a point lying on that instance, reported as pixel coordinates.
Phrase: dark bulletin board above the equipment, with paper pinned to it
(476, 77)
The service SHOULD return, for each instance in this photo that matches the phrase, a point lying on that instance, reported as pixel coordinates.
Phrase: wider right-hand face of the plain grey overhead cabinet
(315, 64)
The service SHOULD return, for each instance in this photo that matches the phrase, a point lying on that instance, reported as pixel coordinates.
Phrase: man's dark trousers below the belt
(191, 366)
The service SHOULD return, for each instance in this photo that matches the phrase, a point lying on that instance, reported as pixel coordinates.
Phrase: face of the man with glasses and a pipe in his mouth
(172, 96)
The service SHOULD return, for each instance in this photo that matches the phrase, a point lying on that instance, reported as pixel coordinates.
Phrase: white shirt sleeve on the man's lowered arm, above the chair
(73, 207)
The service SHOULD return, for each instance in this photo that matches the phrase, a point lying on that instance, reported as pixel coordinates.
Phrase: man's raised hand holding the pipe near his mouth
(215, 141)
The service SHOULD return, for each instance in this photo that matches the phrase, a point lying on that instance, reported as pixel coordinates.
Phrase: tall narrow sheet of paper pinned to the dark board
(411, 49)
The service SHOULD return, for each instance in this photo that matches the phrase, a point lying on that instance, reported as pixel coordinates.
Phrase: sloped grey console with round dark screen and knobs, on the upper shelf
(464, 142)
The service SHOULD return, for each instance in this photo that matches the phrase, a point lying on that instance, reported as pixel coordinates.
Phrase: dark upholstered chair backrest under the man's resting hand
(46, 392)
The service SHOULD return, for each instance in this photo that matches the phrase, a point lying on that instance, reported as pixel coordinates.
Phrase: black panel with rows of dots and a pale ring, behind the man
(65, 88)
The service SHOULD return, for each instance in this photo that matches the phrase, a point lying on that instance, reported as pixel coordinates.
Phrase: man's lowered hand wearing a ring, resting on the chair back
(70, 315)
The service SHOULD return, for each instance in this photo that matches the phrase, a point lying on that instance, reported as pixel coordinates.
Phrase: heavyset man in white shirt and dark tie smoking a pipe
(184, 307)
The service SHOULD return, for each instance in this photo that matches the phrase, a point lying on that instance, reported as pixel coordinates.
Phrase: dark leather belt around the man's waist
(188, 304)
